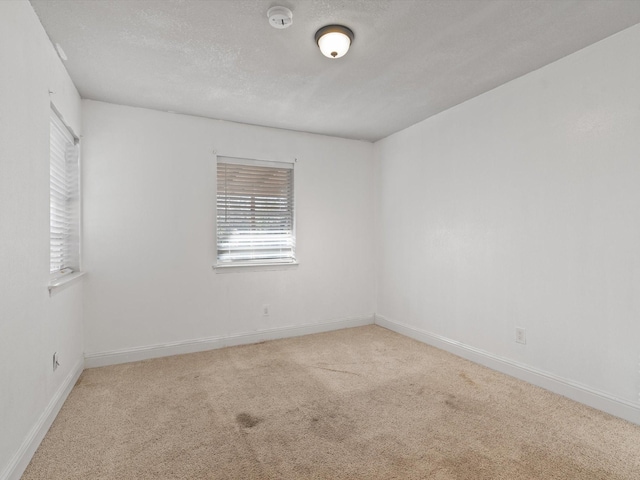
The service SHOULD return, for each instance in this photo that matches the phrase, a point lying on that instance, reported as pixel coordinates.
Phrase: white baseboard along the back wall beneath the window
(115, 357)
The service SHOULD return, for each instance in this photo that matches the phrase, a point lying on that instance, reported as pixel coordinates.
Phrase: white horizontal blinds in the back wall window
(255, 217)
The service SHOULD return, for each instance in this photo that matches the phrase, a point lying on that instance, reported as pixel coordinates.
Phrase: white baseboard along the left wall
(19, 462)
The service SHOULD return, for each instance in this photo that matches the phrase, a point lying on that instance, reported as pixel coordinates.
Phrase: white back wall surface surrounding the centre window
(149, 232)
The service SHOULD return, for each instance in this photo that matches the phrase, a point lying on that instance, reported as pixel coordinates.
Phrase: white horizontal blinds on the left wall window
(63, 199)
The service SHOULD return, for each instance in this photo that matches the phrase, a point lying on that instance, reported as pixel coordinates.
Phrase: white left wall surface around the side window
(33, 325)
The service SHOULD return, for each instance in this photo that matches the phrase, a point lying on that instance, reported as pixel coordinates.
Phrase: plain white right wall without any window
(519, 208)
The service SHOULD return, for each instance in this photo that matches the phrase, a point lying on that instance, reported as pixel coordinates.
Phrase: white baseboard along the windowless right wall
(570, 389)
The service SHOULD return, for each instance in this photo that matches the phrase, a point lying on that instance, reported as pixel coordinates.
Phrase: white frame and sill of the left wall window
(71, 265)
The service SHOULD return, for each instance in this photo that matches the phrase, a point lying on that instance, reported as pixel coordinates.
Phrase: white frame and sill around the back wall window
(260, 264)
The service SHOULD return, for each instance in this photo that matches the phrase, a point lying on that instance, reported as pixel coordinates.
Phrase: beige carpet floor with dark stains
(357, 403)
